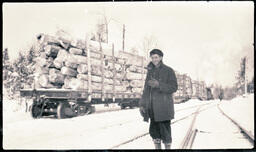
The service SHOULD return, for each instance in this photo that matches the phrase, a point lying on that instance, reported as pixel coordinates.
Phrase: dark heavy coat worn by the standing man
(161, 97)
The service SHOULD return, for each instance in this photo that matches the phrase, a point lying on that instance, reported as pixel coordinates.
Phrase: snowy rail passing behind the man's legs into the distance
(182, 118)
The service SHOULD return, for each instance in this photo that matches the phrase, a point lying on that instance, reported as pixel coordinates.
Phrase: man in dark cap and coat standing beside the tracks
(156, 102)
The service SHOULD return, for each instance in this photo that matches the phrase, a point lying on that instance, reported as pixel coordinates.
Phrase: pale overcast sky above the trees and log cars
(206, 40)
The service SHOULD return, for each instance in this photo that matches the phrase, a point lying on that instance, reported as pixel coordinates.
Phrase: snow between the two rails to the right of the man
(215, 131)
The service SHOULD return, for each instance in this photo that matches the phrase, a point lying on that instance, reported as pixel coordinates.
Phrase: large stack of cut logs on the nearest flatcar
(62, 62)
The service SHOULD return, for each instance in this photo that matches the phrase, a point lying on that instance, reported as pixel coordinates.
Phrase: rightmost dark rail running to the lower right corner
(246, 133)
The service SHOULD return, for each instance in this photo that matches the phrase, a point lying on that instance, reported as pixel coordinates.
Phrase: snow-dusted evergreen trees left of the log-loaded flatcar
(18, 73)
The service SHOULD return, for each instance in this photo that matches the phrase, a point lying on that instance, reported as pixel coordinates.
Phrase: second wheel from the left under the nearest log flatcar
(64, 111)
